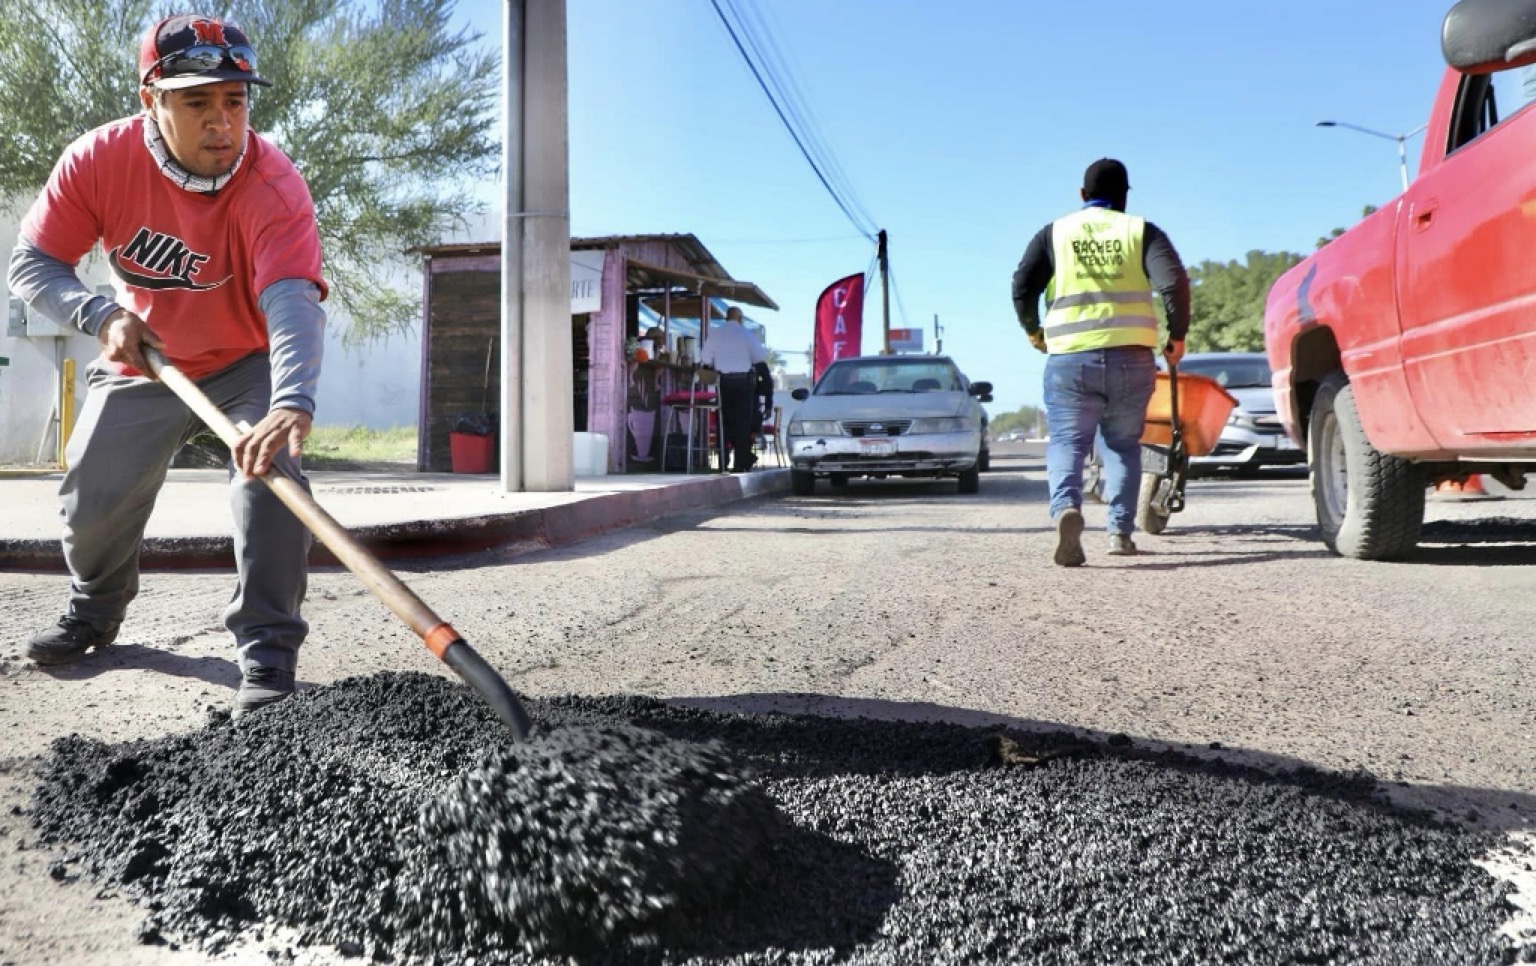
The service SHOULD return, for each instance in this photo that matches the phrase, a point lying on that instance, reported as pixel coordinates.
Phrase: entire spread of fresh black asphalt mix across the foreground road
(394, 816)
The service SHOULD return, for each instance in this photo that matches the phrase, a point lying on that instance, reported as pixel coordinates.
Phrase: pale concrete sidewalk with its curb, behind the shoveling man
(396, 515)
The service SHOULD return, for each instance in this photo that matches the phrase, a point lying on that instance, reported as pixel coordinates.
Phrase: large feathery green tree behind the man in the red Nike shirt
(386, 113)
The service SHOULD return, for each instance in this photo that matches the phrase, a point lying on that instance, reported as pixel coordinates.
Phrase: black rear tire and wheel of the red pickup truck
(1371, 506)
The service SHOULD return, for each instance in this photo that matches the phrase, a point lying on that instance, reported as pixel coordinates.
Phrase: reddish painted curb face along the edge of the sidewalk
(431, 538)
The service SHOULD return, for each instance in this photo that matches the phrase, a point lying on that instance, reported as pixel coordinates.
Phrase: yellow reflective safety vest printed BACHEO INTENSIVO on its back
(1101, 296)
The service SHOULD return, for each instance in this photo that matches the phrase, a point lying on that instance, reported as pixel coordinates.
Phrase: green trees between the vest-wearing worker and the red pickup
(1228, 302)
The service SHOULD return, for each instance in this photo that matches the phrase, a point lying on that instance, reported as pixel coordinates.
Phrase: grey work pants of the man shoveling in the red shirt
(119, 455)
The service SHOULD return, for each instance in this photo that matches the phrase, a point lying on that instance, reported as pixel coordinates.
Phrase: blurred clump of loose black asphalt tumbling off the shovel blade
(580, 842)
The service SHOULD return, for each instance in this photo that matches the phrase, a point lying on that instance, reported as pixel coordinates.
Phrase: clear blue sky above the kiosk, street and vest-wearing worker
(965, 127)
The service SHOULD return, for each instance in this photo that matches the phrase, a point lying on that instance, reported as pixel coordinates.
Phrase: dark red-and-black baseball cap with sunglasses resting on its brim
(193, 50)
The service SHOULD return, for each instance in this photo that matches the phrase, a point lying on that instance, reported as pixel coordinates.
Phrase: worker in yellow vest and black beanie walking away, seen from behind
(1105, 276)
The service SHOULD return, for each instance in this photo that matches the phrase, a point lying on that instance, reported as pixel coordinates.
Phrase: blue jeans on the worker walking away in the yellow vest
(1105, 392)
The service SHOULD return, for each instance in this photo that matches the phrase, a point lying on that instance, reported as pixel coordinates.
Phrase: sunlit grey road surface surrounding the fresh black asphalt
(1234, 638)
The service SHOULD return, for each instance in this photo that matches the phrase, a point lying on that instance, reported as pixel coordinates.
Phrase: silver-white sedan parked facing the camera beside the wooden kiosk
(890, 415)
